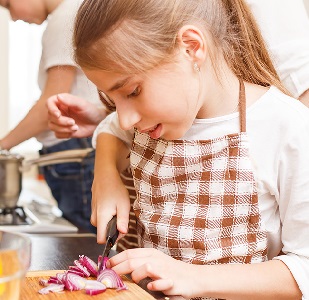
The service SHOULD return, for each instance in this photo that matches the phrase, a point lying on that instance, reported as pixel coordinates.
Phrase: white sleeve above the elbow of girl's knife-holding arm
(111, 126)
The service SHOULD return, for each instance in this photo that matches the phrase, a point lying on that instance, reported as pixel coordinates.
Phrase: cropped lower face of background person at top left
(30, 11)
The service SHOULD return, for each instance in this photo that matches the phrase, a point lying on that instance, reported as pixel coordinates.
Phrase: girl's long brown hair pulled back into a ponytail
(133, 36)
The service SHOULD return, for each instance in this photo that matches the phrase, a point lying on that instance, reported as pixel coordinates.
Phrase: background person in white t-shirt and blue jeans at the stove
(70, 183)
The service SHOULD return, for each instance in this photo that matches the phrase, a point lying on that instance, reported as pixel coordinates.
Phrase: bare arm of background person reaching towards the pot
(59, 80)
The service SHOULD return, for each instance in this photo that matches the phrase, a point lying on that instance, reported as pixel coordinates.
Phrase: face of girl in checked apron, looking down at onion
(162, 102)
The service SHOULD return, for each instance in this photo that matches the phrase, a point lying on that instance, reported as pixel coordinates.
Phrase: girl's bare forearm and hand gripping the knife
(109, 195)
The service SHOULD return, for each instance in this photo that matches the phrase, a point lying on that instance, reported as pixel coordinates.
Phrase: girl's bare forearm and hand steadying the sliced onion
(268, 280)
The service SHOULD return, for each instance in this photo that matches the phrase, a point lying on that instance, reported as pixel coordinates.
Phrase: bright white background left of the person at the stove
(20, 53)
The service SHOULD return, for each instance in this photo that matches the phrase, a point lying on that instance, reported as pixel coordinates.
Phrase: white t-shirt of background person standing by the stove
(57, 50)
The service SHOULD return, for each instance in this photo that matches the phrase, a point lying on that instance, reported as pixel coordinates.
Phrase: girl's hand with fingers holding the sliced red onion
(171, 276)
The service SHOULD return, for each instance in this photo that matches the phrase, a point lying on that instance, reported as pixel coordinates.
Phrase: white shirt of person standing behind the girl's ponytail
(285, 27)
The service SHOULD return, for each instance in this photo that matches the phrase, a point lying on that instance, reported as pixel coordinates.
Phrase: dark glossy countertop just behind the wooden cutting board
(58, 252)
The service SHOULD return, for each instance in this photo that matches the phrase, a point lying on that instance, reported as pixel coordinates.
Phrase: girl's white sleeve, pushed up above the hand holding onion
(294, 201)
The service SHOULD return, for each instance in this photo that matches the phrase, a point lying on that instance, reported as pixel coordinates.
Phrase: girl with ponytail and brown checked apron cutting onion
(218, 152)
